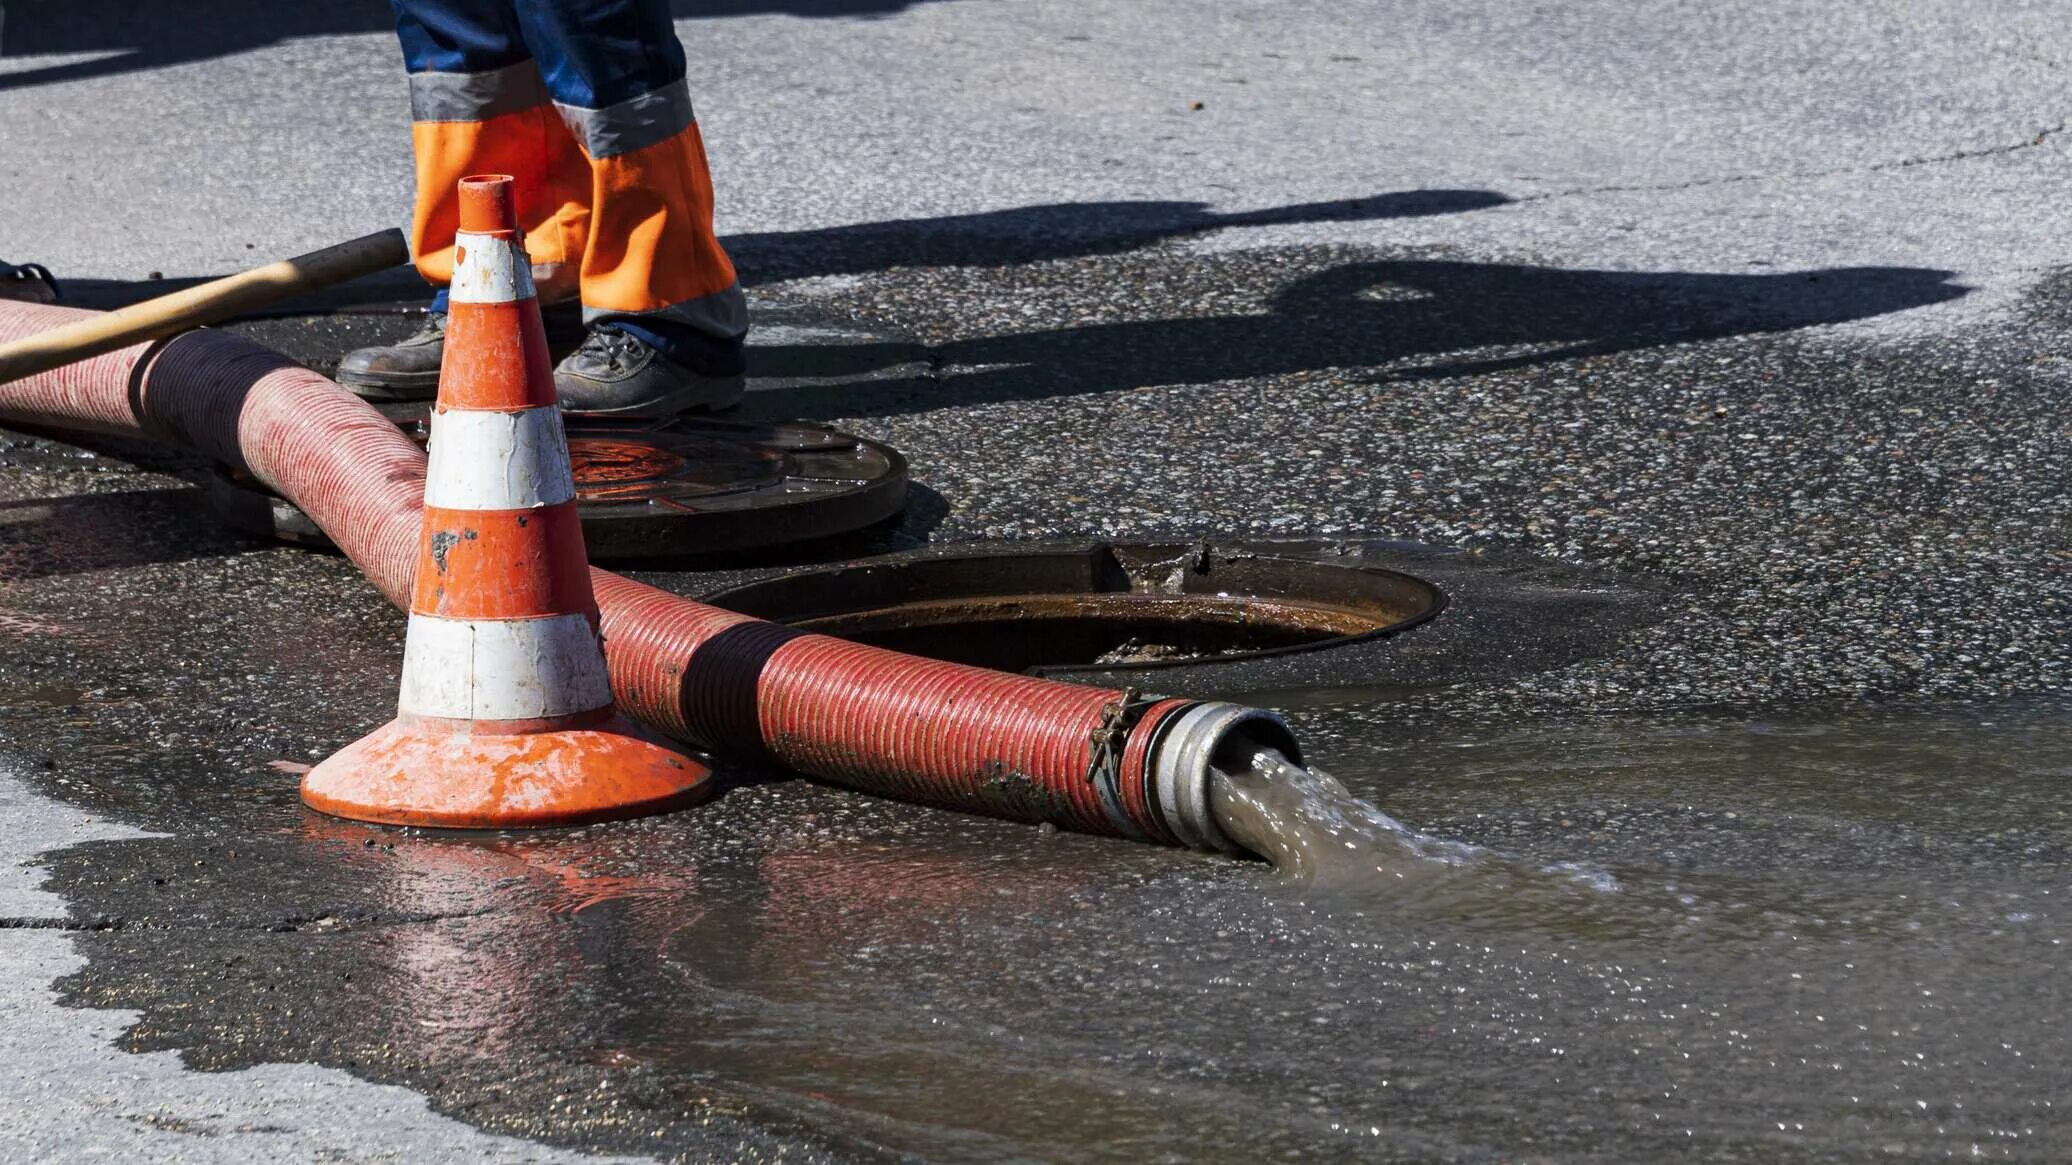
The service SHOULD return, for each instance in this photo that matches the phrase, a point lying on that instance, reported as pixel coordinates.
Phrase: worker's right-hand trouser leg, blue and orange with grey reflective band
(652, 266)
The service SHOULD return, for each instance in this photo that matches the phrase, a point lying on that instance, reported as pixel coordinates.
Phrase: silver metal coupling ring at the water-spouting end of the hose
(1195, 745)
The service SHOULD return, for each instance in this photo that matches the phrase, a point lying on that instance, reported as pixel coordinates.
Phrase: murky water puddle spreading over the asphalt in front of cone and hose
(1617, 940)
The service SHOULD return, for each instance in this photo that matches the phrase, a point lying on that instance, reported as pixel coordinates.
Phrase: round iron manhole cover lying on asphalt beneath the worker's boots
(681, 488)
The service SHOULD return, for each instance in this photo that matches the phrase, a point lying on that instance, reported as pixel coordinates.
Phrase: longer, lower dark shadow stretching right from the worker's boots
(1387, 320)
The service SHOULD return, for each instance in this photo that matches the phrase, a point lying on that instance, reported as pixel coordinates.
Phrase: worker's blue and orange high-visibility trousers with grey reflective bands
(587, 105)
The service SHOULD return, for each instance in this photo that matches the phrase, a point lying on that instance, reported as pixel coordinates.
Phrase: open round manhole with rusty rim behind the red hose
(1105, 606)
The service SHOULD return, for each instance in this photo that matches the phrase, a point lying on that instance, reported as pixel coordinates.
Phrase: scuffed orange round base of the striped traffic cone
(415, 772)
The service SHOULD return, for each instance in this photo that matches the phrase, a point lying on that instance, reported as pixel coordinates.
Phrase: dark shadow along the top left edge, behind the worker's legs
(165, 34)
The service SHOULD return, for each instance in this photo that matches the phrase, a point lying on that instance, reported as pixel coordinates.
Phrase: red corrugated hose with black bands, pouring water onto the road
(925, 731)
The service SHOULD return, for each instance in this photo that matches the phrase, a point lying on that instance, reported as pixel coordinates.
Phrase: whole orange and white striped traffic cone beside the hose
(505, 716)
